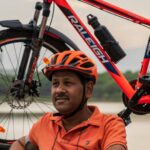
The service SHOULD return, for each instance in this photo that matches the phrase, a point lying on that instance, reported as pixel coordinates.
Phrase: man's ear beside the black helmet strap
(89, 89)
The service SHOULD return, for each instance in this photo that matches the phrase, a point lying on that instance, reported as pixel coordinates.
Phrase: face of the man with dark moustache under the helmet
(66, 91)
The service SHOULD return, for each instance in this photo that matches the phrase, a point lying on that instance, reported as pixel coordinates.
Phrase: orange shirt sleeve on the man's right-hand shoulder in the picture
(114, 132)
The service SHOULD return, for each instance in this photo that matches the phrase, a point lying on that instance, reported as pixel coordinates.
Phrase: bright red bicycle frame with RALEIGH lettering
(98, 50)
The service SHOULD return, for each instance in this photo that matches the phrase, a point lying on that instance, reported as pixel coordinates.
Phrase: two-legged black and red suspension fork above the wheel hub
(35, 44)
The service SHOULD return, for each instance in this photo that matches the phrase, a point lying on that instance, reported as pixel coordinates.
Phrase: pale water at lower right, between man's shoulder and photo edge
(138, 133)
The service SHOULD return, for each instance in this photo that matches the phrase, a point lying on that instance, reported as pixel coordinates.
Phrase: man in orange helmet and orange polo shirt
(76, 126)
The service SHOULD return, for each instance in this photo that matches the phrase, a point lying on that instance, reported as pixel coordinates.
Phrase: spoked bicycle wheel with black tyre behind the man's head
(18, 115)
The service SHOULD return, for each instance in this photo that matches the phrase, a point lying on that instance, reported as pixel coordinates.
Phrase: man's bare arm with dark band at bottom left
(21, 144)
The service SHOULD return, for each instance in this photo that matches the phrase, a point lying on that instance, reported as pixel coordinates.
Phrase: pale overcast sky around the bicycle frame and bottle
(132, 37)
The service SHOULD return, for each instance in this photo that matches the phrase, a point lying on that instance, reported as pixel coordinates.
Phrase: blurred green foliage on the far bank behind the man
(105, 89)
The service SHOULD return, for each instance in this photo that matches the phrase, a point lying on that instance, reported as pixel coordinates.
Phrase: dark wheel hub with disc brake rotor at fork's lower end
(21, 94)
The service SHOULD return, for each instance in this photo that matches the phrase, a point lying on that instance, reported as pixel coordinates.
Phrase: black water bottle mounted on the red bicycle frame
(110, 45)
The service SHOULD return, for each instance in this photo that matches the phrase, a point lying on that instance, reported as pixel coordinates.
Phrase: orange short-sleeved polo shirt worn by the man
(99, 132)
